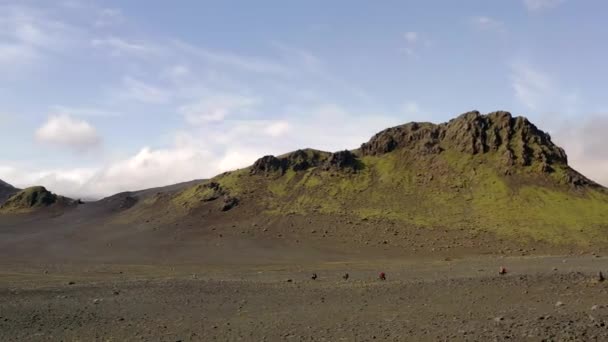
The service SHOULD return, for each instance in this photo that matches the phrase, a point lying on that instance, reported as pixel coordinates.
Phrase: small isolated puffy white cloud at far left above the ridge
(63, 130)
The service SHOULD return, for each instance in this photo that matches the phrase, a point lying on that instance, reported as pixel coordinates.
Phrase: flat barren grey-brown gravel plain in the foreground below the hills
(541, 298)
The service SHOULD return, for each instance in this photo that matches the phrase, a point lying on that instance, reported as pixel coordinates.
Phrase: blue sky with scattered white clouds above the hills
(98, 97)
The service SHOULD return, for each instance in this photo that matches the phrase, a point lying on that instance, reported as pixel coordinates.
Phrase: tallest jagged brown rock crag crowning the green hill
(517, 139)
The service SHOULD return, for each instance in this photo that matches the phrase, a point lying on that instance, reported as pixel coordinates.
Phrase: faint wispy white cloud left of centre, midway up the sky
(214, 108)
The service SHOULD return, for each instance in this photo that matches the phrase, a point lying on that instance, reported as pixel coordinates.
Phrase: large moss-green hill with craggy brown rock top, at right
(494, 173)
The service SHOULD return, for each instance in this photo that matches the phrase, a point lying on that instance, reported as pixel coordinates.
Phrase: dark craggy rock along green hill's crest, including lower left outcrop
(514, 141)
